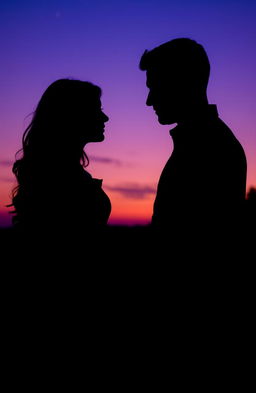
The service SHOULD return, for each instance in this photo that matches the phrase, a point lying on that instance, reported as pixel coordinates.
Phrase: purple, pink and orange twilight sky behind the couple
(102, 41)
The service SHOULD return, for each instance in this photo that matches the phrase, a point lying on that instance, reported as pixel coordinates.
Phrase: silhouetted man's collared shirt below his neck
(205, 174)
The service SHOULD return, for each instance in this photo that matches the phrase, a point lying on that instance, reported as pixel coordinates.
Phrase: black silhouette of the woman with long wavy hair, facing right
(54, 191)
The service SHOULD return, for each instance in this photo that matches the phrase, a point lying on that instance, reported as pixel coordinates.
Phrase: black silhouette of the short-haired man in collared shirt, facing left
(204, 180)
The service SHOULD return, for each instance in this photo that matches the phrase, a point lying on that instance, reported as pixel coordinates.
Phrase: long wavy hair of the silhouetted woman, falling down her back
(52, 138)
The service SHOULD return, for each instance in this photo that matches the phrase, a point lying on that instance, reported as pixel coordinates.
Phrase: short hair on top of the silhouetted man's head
(181, 57)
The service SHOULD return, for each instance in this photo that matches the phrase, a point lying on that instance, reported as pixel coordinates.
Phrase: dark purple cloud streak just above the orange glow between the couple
(133, 190)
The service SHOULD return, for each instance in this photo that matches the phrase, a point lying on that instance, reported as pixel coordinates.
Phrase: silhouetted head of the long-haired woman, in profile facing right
(69, 115)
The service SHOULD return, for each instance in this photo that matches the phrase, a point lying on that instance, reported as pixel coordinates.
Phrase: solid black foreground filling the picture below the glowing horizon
(128, 307)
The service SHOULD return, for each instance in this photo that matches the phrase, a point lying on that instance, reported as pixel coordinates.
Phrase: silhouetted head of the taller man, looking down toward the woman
(177, 78)
